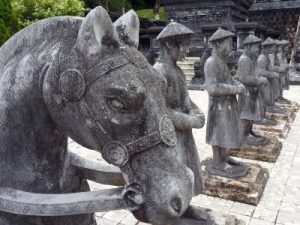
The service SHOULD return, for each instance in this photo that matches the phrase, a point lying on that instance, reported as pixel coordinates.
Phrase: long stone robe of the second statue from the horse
(223, 121)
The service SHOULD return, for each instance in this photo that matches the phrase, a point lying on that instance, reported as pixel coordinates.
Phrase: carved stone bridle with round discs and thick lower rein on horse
(73, 86)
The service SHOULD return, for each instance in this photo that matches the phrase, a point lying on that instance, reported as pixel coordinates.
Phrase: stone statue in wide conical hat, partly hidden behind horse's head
(174, 41)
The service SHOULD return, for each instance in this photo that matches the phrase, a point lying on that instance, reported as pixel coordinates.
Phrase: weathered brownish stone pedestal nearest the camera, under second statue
(246, 189)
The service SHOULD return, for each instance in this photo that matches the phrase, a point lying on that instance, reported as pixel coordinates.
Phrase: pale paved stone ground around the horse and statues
(280, 203)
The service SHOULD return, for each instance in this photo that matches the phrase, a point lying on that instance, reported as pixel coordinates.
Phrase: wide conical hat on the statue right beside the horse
(174, 29)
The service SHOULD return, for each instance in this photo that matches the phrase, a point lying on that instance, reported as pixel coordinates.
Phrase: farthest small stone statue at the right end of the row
(282, 50)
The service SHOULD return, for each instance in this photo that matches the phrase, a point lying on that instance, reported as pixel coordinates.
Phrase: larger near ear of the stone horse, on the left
(97, 33)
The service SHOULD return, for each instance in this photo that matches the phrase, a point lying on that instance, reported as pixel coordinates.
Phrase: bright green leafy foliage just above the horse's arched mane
(29, 11)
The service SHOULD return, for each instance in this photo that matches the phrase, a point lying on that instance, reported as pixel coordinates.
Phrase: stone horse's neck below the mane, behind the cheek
(33, 147)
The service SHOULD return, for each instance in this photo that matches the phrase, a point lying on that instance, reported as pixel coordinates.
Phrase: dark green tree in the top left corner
(8, 21)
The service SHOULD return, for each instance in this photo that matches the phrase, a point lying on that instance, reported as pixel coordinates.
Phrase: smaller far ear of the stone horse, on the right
(128, 28)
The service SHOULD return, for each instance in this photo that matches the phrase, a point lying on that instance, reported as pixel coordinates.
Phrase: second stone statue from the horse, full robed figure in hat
(224, 129)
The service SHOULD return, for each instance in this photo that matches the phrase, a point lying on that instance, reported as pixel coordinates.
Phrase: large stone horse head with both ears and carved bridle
(103, 93)
